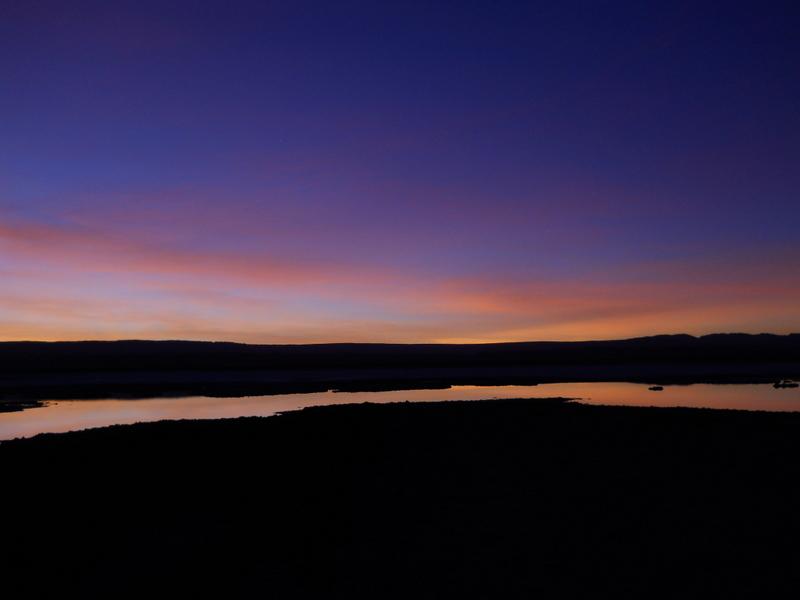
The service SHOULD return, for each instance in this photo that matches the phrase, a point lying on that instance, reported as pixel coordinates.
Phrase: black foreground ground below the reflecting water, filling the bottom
(451, 500)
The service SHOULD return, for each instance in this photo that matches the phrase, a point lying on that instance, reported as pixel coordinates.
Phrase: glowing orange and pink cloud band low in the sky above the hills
(160, 291)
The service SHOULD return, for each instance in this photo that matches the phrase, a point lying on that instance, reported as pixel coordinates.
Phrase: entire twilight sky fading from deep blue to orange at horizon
(298, 172)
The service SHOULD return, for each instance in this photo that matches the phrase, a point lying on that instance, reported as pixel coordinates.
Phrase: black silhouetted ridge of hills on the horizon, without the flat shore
(30, 357)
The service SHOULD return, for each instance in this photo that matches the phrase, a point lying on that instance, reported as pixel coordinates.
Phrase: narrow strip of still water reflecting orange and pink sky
(71, 415)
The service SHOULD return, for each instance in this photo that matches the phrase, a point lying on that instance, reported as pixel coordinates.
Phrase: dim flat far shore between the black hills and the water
(16, 387)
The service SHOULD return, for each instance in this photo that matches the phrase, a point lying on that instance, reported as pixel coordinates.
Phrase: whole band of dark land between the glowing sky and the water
(31, 370)
